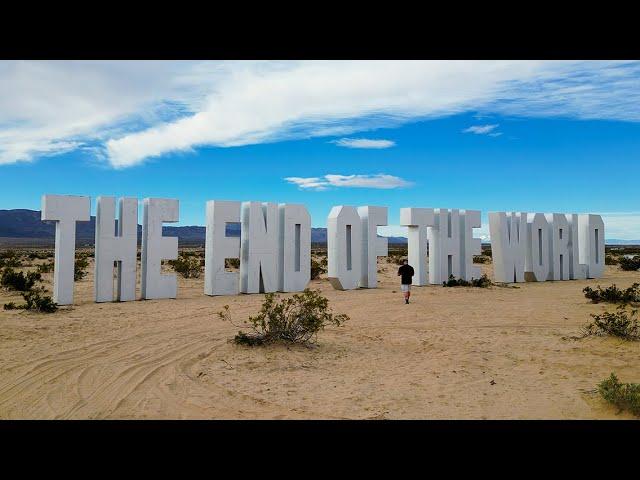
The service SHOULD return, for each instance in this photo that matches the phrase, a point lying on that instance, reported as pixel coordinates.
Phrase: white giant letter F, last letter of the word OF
(372, 246)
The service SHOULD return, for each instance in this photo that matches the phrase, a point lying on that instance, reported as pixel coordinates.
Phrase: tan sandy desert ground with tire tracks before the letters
(453, 353)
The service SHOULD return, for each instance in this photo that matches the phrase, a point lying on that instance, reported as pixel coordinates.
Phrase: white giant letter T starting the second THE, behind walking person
(417, 220)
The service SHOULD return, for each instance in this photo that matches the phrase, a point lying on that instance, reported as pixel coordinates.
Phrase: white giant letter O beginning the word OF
(344, 243)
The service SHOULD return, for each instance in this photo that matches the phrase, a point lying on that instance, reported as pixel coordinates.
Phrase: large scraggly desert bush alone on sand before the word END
(295, 319)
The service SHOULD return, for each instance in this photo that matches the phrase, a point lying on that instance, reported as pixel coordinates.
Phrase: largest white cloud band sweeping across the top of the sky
(139, 110)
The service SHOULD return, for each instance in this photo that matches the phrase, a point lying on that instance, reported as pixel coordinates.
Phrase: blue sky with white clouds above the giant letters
(492, 136)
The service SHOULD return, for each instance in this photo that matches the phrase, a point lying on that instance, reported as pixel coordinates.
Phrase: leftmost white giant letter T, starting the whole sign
(65, 210)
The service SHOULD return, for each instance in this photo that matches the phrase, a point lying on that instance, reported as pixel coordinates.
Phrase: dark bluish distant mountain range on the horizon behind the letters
(26, 224)
